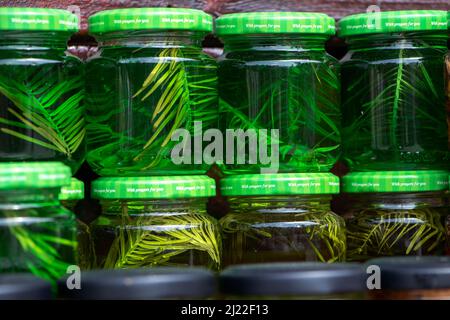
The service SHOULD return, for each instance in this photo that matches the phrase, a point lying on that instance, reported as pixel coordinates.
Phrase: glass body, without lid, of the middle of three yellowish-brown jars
(282, 229)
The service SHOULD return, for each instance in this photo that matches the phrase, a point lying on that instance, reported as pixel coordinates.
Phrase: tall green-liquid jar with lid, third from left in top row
(280, 88)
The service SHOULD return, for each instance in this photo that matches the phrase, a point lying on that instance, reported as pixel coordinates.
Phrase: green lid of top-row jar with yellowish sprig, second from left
(151, 19)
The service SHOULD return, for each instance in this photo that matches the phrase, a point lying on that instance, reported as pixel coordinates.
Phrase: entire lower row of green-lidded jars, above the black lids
(163, 221)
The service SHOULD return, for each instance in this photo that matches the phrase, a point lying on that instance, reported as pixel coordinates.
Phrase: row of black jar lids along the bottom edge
(427, 278)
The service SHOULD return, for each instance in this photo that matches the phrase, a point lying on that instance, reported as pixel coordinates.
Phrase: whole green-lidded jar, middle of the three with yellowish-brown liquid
(282, 218)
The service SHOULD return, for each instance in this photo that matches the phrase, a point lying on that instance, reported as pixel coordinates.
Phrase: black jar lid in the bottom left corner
(24, 287)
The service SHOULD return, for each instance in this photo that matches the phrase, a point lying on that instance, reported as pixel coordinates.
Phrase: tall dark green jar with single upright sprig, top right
(393, 98)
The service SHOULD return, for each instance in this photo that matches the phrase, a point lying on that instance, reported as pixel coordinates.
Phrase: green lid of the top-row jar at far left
(37, 19)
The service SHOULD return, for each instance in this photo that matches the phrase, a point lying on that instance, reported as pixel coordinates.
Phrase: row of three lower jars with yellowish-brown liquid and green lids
(271, 218)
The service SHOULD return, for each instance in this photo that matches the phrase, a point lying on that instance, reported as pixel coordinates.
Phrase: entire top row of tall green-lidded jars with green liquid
(150, 78)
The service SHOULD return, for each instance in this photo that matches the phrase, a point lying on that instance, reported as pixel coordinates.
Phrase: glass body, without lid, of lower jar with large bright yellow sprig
(145, 233)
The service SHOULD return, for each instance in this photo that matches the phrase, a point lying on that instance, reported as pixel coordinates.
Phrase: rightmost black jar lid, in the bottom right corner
(413, 273)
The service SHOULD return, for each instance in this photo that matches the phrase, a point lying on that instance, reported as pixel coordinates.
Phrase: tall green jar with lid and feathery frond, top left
(41, 88)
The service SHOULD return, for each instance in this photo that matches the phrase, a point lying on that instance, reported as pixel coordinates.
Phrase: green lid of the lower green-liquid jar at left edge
(32, 175)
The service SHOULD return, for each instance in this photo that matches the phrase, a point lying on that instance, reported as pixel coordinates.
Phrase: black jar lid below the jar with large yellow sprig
(142, 284)
